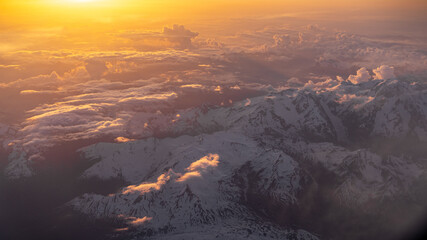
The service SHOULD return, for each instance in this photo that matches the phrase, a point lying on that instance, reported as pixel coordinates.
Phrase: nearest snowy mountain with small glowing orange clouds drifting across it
(193, 194)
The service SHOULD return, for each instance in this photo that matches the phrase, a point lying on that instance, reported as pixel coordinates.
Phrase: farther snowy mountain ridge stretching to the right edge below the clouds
(340, 113)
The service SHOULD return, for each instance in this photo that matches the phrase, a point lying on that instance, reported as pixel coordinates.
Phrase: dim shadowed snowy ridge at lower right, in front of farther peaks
(363, 175)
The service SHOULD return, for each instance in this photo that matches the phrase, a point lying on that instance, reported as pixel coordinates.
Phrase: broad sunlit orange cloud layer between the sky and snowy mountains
(113, 94)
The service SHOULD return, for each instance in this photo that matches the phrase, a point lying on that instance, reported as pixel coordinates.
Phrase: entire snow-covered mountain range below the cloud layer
(236, 171)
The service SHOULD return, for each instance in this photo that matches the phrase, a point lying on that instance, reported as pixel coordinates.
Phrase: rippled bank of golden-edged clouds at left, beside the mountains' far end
(105, 110)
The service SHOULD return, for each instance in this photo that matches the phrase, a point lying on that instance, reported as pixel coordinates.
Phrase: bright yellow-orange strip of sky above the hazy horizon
(53, 12)
